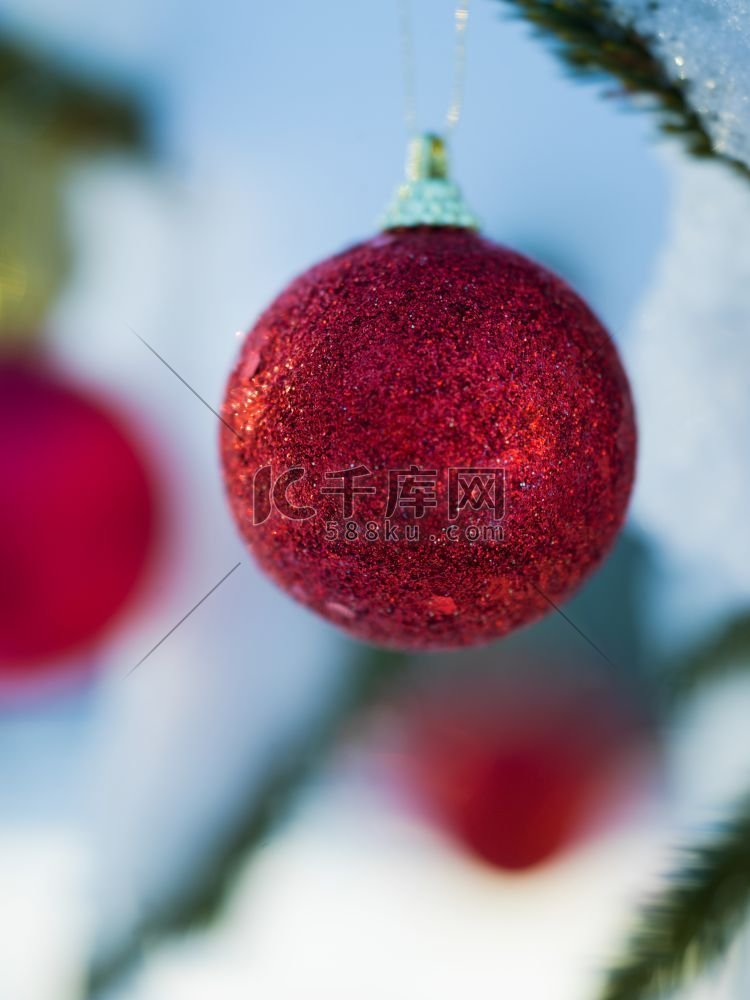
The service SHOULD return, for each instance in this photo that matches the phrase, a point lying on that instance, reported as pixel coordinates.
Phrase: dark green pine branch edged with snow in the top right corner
(590, 39)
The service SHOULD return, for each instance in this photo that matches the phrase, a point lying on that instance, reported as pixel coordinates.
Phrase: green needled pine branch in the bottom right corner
(691, 925)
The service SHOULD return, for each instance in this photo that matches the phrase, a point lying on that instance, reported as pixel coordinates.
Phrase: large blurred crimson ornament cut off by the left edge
(77, 518)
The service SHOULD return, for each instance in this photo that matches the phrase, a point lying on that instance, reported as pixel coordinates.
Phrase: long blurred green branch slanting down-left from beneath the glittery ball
(204, 900)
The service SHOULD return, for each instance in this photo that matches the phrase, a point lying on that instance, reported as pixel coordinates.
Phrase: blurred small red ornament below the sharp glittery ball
(519, 772)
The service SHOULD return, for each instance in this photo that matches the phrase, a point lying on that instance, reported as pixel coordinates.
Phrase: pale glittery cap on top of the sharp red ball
(428, 197)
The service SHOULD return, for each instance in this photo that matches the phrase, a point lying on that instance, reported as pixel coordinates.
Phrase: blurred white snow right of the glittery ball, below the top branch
(689, 359)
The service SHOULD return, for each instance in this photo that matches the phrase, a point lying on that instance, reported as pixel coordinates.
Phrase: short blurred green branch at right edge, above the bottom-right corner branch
(726, 653)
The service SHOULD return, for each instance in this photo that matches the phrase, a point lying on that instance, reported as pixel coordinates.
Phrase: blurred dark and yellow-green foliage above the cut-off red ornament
(49, 115)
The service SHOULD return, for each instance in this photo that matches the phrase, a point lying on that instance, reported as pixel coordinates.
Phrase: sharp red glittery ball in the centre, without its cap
(437, 349)
